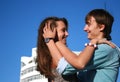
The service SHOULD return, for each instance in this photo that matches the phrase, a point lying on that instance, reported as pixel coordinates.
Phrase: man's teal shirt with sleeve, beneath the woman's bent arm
(103, 66)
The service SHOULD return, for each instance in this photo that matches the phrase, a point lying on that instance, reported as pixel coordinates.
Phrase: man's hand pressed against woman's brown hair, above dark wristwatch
(48, 33)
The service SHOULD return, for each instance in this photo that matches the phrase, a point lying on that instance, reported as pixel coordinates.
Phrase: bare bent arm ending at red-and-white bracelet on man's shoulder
(77, 61)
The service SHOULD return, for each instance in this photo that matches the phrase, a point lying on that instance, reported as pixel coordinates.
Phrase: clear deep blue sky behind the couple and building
(20, 19)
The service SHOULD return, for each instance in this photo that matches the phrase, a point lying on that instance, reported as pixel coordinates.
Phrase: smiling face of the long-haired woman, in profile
(62, 32)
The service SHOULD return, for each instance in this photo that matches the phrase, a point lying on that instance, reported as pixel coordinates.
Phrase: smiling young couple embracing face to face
(98, 62)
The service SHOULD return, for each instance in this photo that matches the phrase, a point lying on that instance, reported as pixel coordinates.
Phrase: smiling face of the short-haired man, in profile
(92, 28)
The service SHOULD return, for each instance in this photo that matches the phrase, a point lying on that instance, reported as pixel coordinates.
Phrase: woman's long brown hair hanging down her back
(44, 59)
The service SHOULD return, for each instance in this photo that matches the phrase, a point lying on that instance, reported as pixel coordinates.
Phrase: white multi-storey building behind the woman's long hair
(28, 69)
